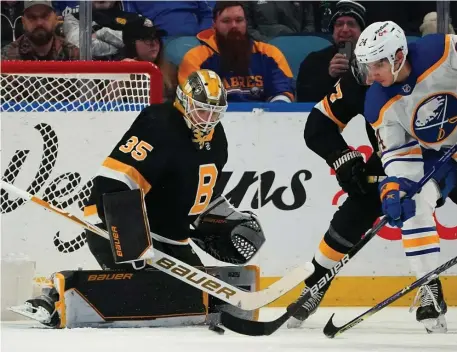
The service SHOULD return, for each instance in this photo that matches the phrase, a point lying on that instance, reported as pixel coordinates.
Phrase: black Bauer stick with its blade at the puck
(258, 328)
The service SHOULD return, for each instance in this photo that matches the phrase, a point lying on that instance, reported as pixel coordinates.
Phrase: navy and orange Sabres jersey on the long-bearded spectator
(269, 73)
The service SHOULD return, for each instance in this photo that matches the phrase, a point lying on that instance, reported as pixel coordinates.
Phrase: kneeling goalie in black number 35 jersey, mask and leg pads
(156, 190)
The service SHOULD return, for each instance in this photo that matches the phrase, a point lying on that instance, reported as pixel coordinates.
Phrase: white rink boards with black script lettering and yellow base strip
(298, 196)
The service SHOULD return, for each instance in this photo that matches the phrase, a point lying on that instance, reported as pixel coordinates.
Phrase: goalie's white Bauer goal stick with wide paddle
(189, 274)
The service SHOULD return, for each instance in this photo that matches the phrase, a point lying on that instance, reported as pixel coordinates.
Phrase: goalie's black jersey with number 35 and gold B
(176, 168)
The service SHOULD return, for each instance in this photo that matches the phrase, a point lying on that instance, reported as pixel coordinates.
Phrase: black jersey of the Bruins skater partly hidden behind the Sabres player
(331, 115)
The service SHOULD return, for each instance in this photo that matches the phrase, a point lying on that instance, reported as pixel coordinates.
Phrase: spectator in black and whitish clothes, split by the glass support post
(106, 42)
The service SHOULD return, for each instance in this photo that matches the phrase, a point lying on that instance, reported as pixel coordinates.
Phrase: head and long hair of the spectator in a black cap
(143, 42)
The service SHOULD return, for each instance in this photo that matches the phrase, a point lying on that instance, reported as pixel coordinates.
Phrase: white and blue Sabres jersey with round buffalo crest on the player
(420, 112)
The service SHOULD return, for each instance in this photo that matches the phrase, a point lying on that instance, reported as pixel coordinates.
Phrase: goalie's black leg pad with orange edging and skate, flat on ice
(136, 298)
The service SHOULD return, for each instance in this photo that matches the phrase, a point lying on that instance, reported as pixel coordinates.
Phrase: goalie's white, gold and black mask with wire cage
(202, 100)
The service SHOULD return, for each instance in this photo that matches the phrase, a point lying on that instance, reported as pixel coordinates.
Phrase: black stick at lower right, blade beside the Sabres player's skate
(330, 330)
